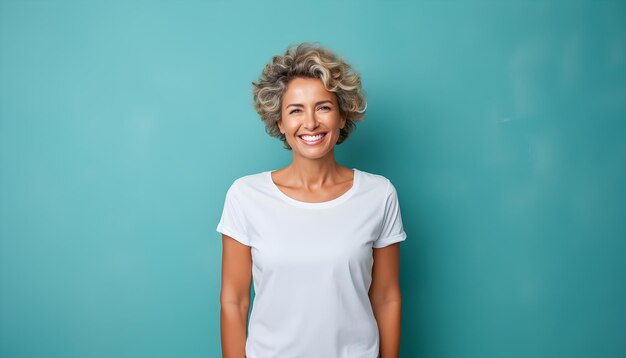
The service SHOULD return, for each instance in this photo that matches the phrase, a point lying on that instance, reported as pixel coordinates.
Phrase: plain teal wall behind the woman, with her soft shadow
(500, 123)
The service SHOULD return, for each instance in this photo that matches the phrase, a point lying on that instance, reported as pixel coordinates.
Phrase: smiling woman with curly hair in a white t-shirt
(320, 240)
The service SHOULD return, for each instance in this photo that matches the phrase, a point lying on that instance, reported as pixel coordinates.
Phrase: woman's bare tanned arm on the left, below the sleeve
(234, 296)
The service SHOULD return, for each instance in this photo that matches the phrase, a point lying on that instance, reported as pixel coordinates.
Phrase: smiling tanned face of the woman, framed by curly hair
(308, 108)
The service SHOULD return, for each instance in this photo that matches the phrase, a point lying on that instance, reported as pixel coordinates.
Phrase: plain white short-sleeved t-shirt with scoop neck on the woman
(312, 264)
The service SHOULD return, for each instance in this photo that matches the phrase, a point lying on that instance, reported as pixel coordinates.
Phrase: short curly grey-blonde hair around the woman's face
(308, 60)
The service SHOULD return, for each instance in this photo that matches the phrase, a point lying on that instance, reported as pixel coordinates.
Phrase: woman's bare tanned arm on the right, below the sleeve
(386, 299)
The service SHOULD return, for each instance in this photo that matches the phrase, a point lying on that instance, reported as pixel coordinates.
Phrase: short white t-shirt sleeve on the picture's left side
(232, 222)
